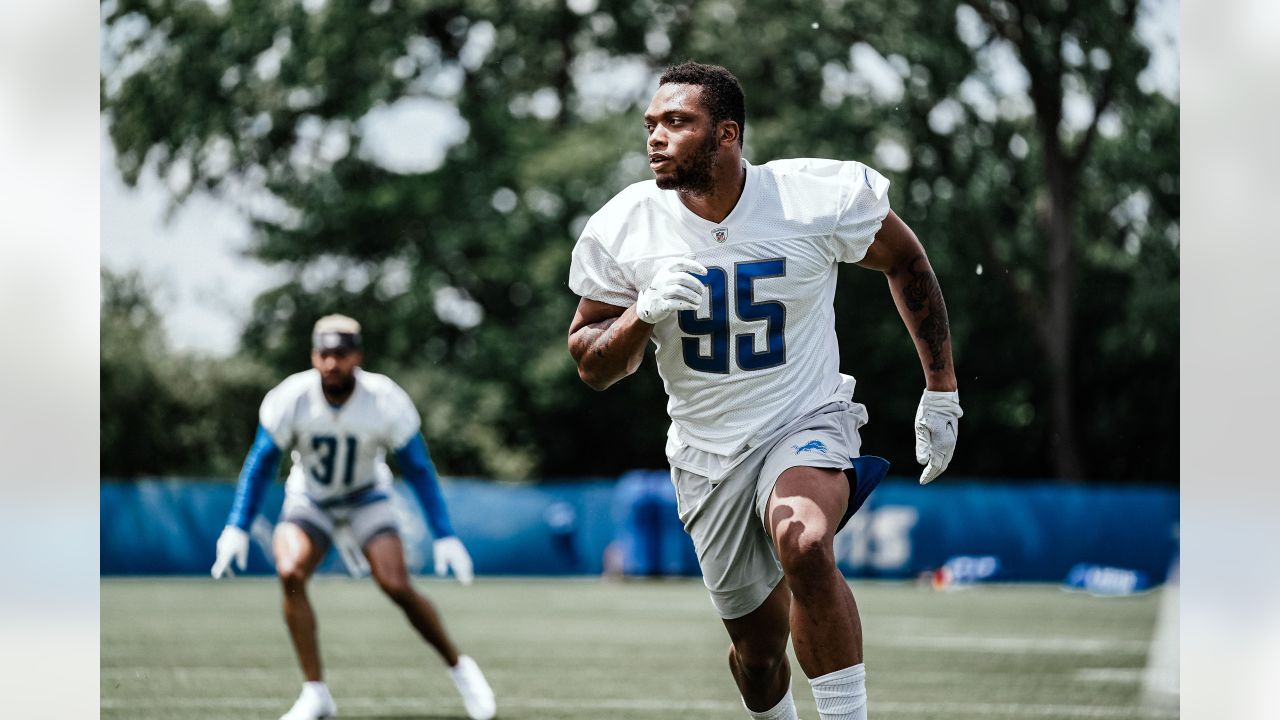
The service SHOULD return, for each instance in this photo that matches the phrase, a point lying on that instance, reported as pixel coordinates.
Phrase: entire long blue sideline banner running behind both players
(630, 526)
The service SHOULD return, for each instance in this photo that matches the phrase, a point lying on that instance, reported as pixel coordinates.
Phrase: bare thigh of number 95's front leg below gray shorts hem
(807, 505)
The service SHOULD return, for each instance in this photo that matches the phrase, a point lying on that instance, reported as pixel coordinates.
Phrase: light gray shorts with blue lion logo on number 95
(723, 502)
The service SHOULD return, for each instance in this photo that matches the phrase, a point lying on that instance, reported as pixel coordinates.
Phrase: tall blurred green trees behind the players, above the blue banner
(1021, 147)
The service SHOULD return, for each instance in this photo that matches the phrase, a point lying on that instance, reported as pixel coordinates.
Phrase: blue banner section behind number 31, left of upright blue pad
(171, 527)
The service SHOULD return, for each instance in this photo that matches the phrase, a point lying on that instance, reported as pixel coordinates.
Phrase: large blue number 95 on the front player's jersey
(774, 313)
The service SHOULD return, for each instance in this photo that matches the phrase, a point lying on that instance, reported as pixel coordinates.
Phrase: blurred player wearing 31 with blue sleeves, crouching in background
(340, 421)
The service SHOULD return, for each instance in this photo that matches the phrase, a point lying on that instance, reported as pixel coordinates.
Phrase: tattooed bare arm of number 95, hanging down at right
(916, 290)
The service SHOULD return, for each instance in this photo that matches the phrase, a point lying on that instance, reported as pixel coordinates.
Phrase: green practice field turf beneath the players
(583, 649)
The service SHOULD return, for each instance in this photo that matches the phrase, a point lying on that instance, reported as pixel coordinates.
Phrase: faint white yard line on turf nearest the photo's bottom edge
(909, 709)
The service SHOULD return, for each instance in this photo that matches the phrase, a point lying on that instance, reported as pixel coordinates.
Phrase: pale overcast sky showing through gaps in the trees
(195, 256)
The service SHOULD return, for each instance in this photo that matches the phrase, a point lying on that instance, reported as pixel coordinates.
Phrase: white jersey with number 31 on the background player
(337, 452)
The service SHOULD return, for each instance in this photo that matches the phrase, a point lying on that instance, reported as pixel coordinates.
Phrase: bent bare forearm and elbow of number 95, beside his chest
(607, 343)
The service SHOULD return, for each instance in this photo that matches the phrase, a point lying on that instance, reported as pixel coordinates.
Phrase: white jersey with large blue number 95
(762, 349)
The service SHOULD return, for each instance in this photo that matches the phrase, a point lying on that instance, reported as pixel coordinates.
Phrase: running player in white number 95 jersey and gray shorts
(730, 271)
